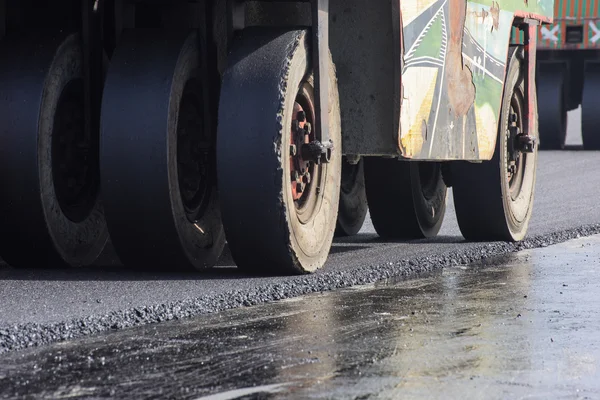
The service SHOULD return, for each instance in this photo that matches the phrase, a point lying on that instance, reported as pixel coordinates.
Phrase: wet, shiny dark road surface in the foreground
(519, 325)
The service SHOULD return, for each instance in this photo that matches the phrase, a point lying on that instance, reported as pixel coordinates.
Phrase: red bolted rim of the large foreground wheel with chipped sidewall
(305, 175)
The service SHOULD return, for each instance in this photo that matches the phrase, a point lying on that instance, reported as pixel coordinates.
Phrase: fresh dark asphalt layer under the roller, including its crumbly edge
(42, 306)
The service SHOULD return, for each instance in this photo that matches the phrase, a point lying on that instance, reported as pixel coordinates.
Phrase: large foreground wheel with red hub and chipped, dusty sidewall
(279, 210)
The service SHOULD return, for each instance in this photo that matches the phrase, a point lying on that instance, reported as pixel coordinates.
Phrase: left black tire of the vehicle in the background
(552, 107)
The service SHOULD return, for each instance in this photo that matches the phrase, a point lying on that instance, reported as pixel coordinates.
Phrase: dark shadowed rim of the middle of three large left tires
(194, 163)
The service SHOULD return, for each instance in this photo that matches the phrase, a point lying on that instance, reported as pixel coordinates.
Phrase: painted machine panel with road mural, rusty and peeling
(453, 74)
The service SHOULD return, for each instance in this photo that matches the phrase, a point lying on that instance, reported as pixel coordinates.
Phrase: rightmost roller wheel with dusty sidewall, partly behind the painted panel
(494, 199)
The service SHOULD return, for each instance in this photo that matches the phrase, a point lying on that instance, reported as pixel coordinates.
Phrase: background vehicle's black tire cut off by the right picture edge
(590, 108)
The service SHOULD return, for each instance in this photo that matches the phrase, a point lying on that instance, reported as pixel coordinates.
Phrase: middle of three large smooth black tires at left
(147, 83)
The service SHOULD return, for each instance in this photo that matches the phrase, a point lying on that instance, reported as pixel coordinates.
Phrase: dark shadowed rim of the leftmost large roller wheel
(74, 168)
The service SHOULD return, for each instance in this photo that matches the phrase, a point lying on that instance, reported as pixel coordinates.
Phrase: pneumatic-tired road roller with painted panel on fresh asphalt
(170, 127)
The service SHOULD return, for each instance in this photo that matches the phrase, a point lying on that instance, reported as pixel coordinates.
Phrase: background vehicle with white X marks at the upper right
(568, 73)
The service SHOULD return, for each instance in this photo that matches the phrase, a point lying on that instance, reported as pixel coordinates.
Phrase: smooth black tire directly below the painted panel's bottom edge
(402, 206)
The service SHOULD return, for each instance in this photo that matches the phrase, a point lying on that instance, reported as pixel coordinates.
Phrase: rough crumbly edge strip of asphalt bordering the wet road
(30, 335)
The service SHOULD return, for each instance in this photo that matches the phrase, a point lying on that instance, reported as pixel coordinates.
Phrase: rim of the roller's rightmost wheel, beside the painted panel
(516, 160)
